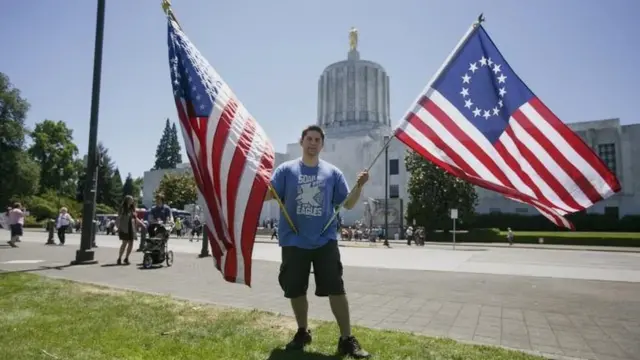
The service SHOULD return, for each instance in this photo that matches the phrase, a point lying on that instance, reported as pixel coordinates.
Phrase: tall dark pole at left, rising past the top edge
(85, 254)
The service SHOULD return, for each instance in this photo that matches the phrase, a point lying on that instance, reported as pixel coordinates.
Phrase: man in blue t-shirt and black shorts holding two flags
(310, 190)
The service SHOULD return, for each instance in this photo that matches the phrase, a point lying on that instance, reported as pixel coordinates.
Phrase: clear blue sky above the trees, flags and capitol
(576, 55)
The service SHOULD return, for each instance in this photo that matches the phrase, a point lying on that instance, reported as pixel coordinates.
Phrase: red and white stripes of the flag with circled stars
(538, 160)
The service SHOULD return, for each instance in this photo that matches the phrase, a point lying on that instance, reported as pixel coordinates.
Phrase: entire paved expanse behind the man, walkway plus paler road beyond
(553, 313)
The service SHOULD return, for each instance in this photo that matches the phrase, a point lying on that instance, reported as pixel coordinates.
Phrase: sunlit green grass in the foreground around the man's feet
(42, 318)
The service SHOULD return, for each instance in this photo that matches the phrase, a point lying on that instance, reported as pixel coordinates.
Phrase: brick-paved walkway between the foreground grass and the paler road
(560, 317)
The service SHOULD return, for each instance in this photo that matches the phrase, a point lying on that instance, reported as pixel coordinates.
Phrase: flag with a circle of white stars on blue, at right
(479, 121)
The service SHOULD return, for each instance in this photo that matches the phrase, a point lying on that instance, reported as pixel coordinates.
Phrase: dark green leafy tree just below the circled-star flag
(433, 192)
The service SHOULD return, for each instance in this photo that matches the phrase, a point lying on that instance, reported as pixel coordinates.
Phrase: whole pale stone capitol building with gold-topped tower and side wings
(354, 110)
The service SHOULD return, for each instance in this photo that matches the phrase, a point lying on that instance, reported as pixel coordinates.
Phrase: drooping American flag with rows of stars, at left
(230, 154)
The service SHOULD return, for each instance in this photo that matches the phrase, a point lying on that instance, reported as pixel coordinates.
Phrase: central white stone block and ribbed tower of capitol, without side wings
(353, 109)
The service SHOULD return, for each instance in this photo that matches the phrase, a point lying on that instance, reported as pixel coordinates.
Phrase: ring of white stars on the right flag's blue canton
(501, 79)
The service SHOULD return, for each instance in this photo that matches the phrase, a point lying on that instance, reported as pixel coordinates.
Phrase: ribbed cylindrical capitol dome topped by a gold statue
(353, 94)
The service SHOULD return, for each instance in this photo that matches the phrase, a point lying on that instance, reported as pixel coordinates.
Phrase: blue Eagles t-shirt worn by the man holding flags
(310, 195)
